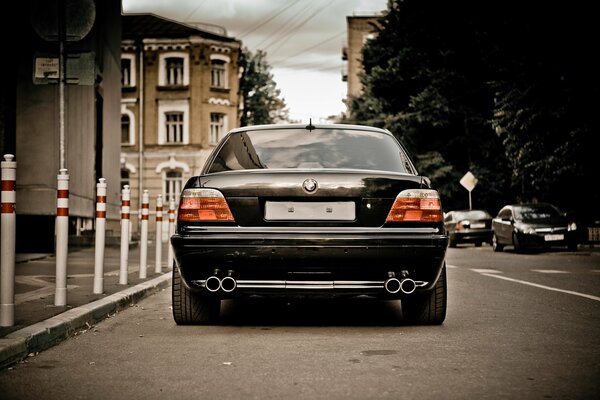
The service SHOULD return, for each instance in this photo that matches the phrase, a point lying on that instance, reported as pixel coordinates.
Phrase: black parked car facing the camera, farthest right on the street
(530, 226)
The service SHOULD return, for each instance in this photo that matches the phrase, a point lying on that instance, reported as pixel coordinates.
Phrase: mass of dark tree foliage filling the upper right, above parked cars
(503, 94)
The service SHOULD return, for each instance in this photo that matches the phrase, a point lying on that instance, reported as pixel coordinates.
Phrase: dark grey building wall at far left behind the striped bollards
(32, 106)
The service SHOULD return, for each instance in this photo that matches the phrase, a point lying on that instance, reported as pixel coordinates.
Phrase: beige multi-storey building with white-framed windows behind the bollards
(180, 95)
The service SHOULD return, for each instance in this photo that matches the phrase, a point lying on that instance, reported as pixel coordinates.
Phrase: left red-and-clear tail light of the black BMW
(203, 205)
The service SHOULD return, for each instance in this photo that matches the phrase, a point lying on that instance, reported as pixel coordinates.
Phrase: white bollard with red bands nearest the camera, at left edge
(7, 264)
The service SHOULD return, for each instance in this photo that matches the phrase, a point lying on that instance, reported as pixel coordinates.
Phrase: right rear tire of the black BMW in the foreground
(427, 308)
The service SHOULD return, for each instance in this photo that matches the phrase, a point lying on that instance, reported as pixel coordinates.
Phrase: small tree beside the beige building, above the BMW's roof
(263, 103)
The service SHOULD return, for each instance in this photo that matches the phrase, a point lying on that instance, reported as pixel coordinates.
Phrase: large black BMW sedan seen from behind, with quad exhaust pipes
(309, 211)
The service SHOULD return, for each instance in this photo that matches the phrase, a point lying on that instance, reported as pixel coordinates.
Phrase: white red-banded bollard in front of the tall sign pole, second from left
(62, 237)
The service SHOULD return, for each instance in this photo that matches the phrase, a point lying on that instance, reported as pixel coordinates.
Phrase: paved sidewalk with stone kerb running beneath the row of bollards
(39, 324)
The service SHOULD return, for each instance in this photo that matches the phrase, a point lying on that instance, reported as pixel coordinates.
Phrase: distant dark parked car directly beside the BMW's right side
(468, 226)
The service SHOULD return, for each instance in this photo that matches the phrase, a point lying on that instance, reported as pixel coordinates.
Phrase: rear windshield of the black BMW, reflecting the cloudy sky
(320, 148)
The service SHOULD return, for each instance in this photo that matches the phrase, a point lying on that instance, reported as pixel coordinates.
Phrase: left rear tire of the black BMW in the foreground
(191, 308)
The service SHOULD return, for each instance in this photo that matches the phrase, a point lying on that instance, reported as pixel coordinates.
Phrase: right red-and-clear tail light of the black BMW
(416, 205)
